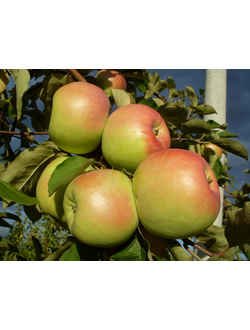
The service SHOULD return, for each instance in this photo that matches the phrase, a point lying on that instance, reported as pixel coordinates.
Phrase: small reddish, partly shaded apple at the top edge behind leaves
(111, 79)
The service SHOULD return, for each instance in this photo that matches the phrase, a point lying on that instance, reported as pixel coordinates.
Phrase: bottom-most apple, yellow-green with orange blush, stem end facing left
(100, 208)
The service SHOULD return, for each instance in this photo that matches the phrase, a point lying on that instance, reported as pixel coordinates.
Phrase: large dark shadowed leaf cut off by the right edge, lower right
(237, 231)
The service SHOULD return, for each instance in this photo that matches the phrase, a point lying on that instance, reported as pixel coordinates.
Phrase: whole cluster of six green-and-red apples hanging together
(174, 192)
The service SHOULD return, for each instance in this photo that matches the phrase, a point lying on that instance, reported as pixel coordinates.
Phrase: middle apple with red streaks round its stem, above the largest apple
(132, 133)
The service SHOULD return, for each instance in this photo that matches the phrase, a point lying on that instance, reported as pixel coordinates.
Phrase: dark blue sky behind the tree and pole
(238, 109)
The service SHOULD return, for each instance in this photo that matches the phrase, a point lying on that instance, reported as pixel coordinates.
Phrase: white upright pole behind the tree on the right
(216, 96)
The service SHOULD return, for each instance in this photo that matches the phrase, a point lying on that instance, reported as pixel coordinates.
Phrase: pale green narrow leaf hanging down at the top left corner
(22, 79)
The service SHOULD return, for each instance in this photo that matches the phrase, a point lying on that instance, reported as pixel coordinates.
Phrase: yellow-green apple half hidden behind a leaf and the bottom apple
(52, 205)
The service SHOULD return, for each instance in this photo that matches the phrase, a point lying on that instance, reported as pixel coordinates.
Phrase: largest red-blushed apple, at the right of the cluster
(177, 194)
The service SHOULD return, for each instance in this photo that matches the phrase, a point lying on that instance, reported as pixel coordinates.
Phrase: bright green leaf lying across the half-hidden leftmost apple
(67, 171)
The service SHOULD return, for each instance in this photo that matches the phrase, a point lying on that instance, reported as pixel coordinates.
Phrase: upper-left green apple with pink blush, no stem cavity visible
(79, 114)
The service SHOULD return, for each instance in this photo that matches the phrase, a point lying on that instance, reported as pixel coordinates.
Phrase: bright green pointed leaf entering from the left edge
(8, 192)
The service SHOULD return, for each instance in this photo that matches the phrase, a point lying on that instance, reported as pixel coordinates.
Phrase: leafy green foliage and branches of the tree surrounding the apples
(24, 123)
